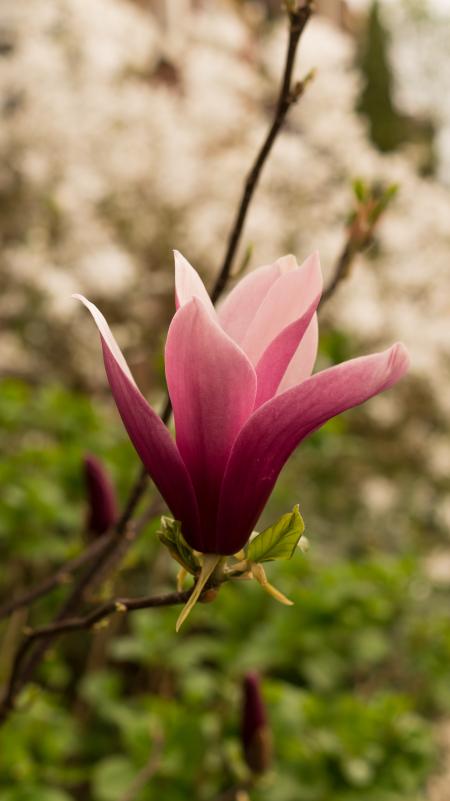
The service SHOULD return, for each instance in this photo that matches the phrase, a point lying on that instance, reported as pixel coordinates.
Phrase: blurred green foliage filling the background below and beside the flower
(354, 672)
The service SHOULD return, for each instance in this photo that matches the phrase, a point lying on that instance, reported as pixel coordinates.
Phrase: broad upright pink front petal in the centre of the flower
(212, 386)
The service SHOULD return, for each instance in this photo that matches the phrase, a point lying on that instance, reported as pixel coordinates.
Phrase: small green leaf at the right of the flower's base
(278, 541)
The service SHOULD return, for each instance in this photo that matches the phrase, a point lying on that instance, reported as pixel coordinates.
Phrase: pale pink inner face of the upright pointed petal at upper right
(286, 301)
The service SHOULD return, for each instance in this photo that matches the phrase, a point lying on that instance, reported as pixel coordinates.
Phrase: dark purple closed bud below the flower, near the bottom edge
(256, 734)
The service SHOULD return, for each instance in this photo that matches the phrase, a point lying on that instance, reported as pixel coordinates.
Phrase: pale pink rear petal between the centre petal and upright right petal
(238, 309)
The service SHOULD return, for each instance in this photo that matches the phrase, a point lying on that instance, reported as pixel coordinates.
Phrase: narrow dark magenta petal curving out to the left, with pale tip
(148, 433)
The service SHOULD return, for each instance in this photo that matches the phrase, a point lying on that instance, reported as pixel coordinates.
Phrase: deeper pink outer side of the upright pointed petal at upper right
(275, 359)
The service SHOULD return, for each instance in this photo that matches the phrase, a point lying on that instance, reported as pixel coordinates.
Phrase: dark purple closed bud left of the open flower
(102, 503)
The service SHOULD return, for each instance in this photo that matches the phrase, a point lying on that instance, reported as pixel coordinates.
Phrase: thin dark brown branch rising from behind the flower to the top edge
(288, 95)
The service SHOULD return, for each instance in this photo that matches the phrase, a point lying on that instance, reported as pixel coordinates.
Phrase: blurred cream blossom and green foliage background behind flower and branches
(127, 129)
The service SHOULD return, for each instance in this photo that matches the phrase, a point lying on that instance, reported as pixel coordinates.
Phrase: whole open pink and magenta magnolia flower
(243, 397)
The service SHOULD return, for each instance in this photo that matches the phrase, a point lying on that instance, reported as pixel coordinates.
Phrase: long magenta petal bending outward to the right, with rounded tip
(277, 427)
